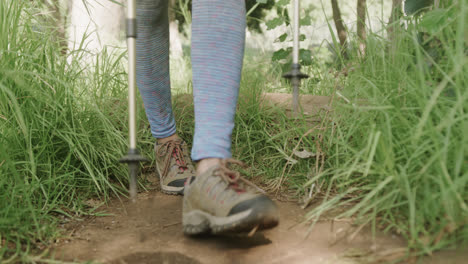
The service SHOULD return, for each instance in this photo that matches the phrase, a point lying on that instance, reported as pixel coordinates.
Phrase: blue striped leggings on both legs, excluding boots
(218, 36)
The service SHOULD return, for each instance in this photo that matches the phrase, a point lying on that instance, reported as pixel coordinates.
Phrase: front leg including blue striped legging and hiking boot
(218, 200)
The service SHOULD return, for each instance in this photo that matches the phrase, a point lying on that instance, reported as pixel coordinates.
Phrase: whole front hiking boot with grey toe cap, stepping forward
(220, 201)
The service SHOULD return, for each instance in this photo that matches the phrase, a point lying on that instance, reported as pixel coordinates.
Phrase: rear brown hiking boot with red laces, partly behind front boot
(173, 165)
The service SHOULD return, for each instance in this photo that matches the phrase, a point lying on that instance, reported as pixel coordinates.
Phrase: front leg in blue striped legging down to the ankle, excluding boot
(218, 36)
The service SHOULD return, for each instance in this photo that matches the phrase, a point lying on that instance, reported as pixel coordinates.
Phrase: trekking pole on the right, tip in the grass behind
(295, 75)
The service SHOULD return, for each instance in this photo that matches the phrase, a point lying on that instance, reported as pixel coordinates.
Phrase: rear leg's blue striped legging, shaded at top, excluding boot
(152, 57)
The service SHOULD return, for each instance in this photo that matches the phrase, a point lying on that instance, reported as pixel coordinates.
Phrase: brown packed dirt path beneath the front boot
(150, 232)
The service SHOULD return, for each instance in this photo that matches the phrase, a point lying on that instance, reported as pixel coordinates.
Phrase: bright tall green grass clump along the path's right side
(398, 158)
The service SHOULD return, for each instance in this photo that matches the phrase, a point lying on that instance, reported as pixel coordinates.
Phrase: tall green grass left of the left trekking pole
(61, 131)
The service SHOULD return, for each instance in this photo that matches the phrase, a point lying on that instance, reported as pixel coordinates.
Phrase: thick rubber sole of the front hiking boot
(197, 222)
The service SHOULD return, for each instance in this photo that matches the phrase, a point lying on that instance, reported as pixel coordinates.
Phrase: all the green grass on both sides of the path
(394, 158)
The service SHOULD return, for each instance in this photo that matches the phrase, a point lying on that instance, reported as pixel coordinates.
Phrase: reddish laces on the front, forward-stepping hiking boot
(232, 177)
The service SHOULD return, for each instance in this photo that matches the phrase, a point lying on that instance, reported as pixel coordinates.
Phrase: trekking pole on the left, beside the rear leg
(133, 157)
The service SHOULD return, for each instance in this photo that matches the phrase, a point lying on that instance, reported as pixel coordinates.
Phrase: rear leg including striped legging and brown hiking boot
(172, 156)
